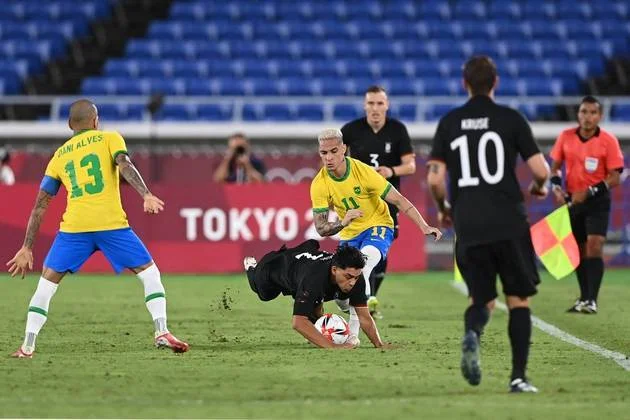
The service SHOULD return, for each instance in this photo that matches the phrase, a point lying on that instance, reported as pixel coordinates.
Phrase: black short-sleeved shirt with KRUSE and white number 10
(479, 142)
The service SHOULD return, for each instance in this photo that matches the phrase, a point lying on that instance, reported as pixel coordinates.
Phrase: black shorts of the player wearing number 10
(514, 260)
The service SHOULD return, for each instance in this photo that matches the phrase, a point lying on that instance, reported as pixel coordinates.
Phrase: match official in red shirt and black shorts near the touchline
(594, 163)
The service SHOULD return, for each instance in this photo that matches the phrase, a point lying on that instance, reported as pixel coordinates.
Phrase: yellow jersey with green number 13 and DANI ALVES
(86, 166)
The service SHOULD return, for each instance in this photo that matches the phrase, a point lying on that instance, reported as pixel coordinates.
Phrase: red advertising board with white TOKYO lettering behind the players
(205, 228)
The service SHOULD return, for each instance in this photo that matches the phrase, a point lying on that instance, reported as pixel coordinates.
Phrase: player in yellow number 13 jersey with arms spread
(88, 166)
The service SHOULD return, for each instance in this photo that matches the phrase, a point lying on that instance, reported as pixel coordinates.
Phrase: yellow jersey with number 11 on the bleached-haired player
(361, 188)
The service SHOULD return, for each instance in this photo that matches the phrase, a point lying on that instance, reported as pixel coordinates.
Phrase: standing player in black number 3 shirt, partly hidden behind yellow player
(384, 143)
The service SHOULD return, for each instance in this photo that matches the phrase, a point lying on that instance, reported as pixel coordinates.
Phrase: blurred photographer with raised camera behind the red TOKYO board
(239, 165)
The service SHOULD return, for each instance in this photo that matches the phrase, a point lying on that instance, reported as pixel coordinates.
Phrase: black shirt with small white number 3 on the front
(384, 148)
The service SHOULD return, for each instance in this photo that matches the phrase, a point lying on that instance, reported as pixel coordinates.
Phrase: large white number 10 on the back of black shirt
(467, 180)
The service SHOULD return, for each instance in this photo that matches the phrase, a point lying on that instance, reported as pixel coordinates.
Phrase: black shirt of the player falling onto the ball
(308, 280)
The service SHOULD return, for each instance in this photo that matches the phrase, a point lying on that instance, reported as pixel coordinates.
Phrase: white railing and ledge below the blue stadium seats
(420, 128)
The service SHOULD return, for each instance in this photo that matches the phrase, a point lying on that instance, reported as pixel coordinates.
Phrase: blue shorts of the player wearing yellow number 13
(122, 248)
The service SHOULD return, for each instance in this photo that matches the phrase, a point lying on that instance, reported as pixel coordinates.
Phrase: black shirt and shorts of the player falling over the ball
(303, 272)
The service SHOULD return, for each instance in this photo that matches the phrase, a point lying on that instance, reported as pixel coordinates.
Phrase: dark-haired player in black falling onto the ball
(312, 277)
